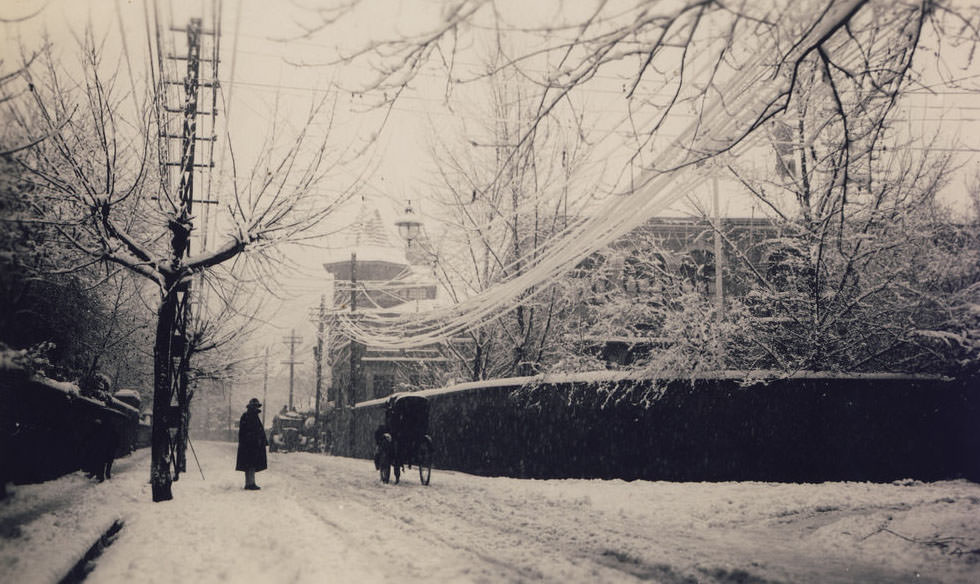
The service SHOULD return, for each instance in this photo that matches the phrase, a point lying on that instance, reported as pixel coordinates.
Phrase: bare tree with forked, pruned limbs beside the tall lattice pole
(98, 185)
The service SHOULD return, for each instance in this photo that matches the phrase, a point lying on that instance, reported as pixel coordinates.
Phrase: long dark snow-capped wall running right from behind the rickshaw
(807, 429)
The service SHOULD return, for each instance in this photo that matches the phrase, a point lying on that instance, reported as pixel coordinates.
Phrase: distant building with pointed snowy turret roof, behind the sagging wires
(387, 282)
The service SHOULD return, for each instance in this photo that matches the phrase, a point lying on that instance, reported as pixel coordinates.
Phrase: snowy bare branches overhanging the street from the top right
(696, 79)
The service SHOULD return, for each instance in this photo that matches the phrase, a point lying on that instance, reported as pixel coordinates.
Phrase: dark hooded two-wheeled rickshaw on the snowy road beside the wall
(403, 439)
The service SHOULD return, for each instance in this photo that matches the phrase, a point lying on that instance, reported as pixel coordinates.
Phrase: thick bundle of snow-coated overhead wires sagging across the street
(749, 94)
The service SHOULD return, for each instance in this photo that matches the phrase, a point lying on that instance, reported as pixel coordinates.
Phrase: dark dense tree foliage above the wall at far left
(89, 318)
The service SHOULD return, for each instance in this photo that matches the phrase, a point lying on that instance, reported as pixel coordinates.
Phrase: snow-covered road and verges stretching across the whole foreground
(328, 519)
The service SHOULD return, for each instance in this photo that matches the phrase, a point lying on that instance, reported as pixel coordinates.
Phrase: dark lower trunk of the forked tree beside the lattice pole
(162, 371)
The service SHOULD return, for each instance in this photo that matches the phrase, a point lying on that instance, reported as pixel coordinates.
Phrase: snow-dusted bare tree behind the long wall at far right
(844, 289)
